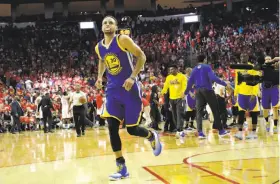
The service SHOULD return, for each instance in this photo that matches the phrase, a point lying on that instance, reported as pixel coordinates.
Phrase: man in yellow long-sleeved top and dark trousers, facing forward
(176, 82)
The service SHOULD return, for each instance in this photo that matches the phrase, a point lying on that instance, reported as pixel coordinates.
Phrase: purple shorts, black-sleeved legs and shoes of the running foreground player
(132, 115)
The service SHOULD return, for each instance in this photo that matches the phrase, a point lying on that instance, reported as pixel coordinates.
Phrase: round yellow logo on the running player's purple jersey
(113, 63)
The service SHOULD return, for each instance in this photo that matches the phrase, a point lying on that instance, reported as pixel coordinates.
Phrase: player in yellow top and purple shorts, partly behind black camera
(247, 99)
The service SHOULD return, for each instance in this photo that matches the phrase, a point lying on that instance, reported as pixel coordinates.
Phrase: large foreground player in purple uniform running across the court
(123, 97)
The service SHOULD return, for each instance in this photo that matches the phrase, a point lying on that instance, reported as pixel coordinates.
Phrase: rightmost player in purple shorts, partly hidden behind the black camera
(270, 97)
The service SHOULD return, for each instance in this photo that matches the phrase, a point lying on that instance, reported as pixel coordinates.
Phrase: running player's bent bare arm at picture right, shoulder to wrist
(127, 43)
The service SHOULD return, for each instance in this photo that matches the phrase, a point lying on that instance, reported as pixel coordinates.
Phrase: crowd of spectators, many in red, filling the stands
(52, 56)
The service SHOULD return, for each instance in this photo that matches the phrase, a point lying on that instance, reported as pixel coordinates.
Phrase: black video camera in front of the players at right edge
(270, 76)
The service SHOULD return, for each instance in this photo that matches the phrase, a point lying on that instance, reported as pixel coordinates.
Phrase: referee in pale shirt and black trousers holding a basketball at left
(79, 102)
